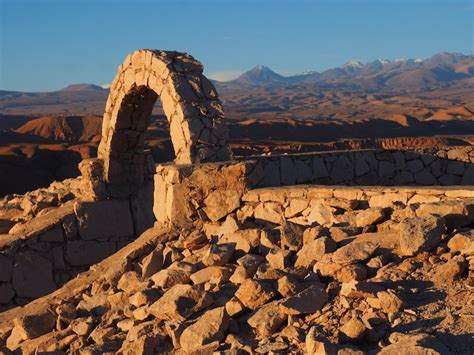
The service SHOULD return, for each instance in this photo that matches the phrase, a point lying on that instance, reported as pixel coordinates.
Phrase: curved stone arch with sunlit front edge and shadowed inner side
(190, 103)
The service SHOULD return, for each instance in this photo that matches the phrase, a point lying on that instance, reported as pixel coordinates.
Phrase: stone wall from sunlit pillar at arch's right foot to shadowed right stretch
(190, 192)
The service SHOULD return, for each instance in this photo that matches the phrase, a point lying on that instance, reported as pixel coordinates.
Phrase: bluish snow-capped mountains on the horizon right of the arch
(440, 69)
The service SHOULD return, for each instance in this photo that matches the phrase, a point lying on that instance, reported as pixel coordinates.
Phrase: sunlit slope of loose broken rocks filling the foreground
(375, 280)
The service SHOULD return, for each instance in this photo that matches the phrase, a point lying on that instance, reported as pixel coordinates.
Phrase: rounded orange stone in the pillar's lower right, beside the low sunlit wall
(220, 203)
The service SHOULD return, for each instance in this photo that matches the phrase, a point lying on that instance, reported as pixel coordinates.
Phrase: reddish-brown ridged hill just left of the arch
(64, 128)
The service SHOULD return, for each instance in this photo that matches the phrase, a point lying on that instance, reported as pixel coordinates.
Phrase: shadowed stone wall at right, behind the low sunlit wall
(426, 167)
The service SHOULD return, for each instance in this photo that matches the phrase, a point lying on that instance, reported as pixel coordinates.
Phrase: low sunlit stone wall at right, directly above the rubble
(309, 205)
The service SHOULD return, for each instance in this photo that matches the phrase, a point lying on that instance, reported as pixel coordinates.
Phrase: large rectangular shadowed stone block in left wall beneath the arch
(91, 217)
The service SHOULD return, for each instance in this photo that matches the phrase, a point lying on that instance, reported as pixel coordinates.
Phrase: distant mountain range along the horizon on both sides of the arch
(382, 75)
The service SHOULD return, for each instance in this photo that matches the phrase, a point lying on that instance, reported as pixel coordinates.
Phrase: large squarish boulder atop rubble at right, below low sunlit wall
(420, 234)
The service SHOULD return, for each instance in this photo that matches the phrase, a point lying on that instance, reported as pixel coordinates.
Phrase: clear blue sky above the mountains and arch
(46, 45)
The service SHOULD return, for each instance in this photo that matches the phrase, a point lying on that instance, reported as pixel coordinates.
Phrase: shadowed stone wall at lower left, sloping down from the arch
(41, 255)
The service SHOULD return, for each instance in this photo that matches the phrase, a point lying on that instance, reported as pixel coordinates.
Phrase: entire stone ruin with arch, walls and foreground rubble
(309, 251)
